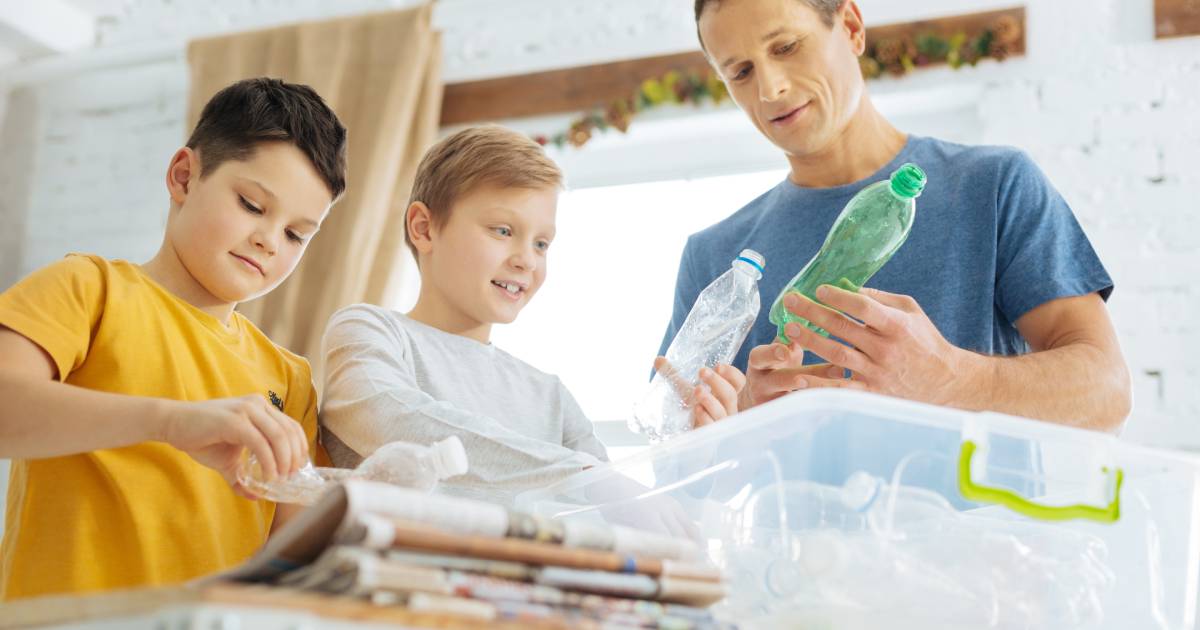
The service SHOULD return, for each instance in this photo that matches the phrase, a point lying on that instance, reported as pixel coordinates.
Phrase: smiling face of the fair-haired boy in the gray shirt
(489, 260)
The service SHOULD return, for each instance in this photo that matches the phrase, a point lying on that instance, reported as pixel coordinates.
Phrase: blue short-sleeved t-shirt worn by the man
(992, 241)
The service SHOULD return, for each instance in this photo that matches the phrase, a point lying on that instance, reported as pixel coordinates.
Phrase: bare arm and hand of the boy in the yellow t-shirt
(45, 418)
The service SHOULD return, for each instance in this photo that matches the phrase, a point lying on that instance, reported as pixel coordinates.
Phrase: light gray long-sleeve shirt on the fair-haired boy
(392, 379)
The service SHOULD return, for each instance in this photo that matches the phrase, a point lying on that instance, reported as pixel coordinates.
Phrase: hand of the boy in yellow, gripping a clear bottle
(215, 433)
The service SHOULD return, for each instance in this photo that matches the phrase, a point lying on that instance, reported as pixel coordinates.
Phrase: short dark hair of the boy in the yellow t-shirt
(251, 112)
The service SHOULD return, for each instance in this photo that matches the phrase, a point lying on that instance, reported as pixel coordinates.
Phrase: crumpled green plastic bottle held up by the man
(868, 232)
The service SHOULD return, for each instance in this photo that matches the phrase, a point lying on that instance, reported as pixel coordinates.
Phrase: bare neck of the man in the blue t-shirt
(866, 146)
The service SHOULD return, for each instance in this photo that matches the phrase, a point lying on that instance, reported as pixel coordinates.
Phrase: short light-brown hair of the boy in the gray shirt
(478, 157)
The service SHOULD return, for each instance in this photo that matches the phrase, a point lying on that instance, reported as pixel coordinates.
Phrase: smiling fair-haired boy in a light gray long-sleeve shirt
(481, 221)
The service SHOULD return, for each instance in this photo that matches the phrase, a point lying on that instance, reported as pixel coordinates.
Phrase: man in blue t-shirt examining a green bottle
(995, 267)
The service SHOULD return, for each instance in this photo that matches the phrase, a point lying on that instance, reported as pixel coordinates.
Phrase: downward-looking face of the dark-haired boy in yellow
(242, 230)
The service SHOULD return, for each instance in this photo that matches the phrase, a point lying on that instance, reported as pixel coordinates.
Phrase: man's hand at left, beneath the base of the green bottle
(775, 370)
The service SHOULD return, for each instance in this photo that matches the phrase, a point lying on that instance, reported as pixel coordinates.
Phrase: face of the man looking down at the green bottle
(797, 80)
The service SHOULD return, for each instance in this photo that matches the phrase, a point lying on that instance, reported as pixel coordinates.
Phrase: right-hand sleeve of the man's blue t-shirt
(1042, 253)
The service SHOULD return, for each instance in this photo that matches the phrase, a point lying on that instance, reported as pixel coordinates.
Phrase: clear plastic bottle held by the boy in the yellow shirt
(400, 464)
